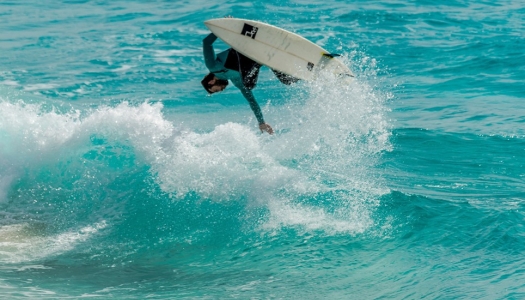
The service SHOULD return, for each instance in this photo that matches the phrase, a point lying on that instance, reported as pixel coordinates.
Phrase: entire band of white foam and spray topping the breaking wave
(330, 140)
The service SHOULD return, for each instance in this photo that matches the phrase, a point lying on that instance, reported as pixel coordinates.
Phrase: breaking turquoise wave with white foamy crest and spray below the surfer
(75, 169)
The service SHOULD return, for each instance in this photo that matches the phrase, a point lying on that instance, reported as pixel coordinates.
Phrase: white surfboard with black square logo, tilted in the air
(277, 48)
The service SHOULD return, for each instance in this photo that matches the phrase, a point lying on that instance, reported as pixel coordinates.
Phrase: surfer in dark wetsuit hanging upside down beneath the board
(239, 69)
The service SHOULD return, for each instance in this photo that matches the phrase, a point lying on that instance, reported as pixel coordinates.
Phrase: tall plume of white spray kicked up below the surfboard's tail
(334, 139)
